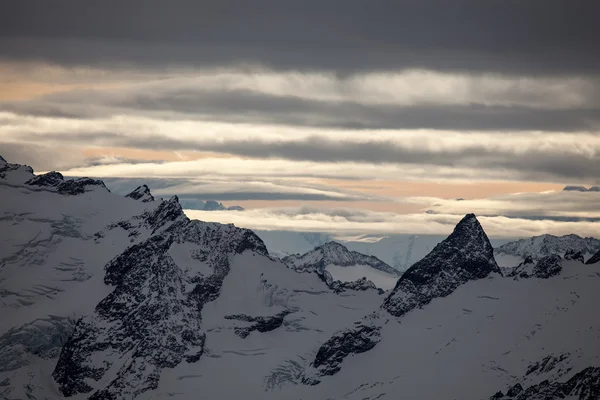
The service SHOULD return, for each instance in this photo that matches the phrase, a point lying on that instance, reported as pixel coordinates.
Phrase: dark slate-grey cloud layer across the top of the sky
(512, 36)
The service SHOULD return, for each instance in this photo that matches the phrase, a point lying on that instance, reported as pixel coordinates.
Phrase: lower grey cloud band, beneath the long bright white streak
(533, 164)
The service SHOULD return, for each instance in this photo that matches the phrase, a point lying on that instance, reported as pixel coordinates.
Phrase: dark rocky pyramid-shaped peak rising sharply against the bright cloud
(465, 255)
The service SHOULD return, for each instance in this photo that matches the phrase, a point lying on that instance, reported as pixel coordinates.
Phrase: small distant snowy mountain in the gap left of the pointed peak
(334, 262)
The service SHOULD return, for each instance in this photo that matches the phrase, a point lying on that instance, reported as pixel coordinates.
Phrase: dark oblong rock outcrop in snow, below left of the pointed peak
(358, 339)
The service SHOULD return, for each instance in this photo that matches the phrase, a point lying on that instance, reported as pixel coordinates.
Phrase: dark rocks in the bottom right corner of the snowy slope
(584, 385)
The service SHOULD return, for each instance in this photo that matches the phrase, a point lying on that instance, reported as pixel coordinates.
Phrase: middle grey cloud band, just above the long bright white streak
(245, 106)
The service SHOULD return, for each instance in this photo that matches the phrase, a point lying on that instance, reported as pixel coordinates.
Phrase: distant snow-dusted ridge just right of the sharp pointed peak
(538, 247)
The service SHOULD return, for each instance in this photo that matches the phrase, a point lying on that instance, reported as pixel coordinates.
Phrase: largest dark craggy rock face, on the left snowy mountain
(151, 320)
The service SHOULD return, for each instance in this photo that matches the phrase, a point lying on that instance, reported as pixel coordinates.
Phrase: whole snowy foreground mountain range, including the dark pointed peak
(108, 297)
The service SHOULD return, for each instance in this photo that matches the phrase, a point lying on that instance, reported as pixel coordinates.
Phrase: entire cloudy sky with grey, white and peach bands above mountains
(349, 116)
